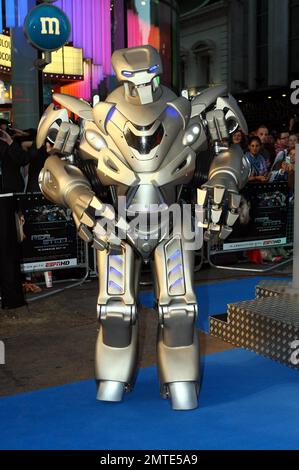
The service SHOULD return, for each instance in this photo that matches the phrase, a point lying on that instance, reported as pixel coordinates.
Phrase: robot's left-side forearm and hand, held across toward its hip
(65, 184)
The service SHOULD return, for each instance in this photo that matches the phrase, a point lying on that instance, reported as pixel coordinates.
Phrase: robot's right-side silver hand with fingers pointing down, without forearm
(220, 210)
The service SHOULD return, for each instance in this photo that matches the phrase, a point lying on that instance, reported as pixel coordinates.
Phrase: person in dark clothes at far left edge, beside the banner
(12, 158)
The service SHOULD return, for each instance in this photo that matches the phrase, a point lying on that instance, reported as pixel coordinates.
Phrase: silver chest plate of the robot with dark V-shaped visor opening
(143, 155)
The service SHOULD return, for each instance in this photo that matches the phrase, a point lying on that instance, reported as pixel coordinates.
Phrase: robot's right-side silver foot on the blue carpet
(183, 395)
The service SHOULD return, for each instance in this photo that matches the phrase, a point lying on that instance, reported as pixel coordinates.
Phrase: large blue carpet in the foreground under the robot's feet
(246, 402)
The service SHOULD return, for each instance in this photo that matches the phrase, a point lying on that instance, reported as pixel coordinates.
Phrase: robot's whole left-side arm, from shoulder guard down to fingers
(65, 184)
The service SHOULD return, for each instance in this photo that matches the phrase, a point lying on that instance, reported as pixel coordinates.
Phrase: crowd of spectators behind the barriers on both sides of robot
(272, 157)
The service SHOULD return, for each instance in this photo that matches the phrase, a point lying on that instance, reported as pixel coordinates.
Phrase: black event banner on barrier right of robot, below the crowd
(263, 217)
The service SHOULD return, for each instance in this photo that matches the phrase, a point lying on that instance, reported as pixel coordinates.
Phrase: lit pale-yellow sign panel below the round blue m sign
(66, 61)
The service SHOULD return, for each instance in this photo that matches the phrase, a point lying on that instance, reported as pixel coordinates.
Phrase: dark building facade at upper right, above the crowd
(251, 46)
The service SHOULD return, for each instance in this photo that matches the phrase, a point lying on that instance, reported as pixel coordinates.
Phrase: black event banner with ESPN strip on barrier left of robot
(48, 234)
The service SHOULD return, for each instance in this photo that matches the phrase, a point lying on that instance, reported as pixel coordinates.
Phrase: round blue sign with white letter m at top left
(47, 27)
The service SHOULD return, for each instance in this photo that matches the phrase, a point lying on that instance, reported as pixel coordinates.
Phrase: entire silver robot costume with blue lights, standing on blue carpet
(145, 143)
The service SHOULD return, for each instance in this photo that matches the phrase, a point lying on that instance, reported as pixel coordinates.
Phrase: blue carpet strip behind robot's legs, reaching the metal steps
(213, 298)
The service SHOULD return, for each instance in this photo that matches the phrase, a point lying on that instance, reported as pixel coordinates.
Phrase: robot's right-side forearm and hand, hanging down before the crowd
(219, 196)
